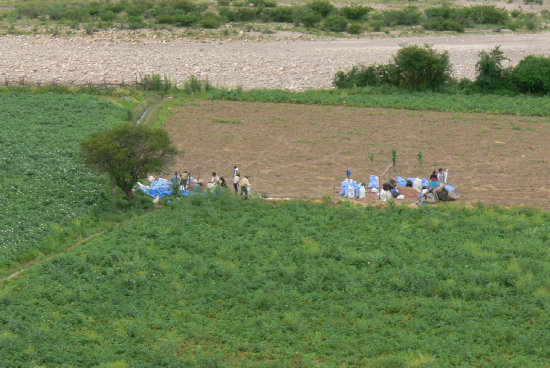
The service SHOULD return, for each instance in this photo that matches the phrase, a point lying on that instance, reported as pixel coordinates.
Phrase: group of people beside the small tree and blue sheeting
(241, 184)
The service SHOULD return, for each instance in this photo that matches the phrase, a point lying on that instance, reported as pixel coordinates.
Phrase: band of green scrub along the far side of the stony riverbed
(318, 13)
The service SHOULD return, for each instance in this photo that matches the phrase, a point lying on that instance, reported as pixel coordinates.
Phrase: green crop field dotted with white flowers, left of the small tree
(43, 181)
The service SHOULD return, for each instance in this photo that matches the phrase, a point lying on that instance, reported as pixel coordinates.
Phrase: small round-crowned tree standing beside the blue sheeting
(128, 152)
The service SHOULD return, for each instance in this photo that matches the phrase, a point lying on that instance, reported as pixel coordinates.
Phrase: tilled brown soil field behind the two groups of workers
(303, 151)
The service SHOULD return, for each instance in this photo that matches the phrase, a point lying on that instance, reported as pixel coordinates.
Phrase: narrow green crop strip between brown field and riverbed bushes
(400, 99)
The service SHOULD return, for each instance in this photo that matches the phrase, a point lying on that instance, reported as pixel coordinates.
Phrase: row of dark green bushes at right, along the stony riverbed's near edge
(423, 68)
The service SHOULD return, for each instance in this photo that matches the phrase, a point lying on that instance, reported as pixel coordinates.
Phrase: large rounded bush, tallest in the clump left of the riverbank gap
(422, 67)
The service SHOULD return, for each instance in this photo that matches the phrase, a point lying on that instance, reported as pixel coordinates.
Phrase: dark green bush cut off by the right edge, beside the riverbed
(532, 74)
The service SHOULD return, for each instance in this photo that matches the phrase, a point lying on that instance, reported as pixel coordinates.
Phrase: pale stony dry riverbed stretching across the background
(288, 64)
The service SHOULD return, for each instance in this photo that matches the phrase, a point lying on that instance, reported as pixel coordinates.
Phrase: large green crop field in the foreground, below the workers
(218, 281)
